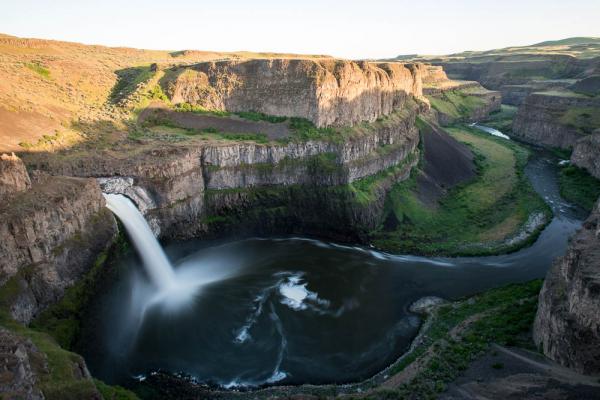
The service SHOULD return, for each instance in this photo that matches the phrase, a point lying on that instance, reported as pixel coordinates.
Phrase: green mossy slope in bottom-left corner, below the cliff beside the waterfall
(58, 372)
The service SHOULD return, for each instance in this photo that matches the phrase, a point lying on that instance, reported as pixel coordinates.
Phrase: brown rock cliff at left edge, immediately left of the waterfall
(50, 236)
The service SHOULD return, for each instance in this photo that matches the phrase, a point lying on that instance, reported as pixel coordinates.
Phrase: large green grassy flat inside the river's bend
(473, 218)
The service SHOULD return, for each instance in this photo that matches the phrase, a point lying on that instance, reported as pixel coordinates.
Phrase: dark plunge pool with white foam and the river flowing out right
(291, 310)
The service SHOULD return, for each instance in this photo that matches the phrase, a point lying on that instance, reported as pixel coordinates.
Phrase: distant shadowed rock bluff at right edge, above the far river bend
(553, 118)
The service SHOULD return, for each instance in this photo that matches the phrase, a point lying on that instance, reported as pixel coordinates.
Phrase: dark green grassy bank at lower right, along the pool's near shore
(504, 316)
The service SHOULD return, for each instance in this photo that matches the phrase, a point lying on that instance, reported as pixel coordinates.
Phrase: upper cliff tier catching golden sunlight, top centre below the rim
(327, 92)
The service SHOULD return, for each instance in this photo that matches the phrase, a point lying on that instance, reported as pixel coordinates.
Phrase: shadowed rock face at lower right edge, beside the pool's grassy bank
(567, 325)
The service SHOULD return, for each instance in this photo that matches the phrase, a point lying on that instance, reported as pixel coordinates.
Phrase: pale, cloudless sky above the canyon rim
(348, 29)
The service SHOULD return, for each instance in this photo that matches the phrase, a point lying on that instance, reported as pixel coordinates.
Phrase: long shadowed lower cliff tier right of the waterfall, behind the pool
(181, 189)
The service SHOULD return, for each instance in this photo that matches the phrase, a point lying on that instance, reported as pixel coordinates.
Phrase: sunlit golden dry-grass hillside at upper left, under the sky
(49, 87)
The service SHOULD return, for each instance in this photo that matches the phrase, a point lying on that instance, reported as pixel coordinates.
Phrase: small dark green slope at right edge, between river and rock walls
(579, 187)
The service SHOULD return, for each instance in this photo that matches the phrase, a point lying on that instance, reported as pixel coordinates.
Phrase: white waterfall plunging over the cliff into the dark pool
(155, 261)
